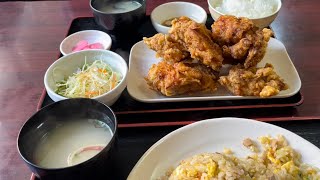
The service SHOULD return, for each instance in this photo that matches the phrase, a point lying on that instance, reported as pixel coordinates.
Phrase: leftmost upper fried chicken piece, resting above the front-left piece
(166, 47)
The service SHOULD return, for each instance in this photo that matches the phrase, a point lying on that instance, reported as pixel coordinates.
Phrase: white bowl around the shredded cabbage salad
(67, 65)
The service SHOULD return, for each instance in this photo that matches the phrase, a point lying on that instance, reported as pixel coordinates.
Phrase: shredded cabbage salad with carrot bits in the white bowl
(89, 81)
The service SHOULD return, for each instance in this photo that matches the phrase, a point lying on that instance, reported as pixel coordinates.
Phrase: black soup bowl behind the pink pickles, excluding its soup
(117, 23)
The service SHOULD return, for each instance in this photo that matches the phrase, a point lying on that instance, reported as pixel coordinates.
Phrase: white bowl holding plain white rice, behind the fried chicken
(259, 22)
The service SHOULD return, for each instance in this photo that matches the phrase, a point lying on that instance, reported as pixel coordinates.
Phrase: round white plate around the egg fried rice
(213, 136)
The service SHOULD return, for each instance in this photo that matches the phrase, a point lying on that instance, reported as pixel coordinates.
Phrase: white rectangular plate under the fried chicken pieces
(141, 59)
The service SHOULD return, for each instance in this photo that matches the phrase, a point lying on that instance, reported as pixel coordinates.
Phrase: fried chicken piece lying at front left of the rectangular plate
(181, 78)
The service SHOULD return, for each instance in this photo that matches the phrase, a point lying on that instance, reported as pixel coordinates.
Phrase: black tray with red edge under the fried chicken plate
(127, 105)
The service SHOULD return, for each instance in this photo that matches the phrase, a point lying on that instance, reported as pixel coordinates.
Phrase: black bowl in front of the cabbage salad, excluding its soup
(99, 166)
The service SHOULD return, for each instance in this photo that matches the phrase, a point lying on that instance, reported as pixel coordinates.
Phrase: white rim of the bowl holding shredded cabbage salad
(48, 88)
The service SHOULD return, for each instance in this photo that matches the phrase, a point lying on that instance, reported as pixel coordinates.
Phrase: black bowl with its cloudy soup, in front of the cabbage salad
(69, 139)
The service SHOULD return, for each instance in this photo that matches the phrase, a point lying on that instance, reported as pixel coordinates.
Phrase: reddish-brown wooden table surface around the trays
(30, 34)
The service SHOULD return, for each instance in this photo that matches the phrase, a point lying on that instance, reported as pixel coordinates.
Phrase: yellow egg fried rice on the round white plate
(278, 160)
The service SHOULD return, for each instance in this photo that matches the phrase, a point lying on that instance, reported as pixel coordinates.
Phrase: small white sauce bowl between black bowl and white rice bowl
(176, 9)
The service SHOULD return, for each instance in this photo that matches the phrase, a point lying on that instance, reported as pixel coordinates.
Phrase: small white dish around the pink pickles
(92, 36)
